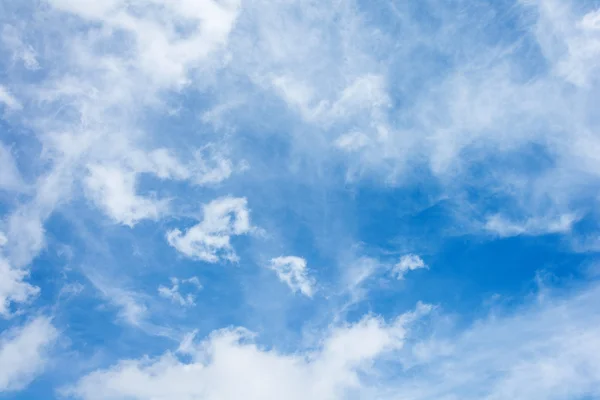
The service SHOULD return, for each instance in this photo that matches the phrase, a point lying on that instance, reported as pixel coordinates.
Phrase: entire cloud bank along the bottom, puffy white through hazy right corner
(546, 350)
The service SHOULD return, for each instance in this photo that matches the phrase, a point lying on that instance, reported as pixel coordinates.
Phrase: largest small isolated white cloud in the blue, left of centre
(210, 240)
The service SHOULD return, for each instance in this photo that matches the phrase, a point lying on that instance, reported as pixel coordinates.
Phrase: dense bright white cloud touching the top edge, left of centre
(162, 55)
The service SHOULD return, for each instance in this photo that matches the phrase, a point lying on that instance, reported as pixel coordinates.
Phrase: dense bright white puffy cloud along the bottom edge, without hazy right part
(228, 366)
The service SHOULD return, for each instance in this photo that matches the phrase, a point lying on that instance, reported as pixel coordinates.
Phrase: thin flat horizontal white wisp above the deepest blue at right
(532, 226)
